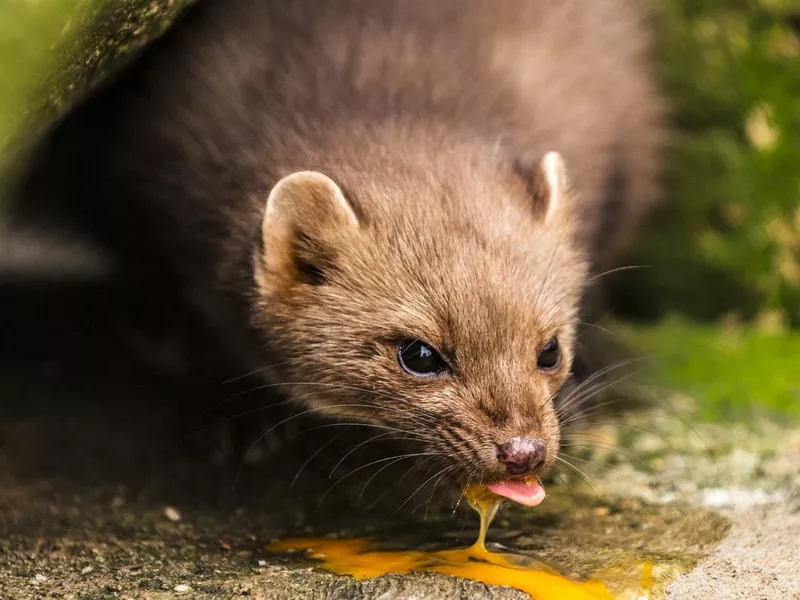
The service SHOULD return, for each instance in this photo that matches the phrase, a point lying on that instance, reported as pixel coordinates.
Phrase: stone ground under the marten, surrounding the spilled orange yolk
(101, 496)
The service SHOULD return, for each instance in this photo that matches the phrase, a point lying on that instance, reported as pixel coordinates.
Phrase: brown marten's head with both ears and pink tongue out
(440, 305)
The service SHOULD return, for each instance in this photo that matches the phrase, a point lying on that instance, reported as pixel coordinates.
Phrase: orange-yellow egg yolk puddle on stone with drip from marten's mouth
(360, 559)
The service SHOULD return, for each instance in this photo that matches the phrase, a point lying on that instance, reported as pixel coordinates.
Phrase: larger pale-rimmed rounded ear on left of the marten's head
(307, 218)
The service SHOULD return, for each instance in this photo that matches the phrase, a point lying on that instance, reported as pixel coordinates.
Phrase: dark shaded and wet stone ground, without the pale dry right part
(102, 496)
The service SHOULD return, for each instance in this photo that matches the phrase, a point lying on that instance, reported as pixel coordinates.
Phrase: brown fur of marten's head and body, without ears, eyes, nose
(431, 116)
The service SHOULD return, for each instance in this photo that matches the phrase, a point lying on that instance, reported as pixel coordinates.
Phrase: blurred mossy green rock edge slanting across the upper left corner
(53, 52)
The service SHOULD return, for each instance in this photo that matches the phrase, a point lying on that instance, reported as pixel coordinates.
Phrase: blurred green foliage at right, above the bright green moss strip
(728, 238)
